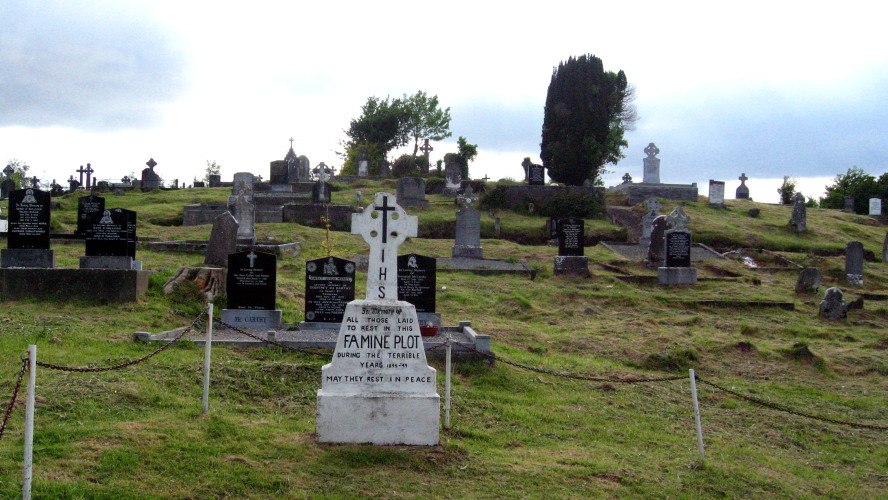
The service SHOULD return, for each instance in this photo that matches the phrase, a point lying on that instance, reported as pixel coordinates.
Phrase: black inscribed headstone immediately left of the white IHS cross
(329, 286)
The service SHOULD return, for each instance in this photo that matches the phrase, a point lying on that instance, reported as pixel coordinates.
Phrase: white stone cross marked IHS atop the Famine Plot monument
(384, 225)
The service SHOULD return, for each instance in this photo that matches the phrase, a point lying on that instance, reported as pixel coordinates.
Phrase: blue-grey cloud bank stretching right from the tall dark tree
(764, 135)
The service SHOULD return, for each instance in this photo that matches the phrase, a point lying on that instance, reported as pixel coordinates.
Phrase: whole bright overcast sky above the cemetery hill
(763, 88)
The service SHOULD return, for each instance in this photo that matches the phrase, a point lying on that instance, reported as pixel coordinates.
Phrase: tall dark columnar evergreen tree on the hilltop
(587, 111)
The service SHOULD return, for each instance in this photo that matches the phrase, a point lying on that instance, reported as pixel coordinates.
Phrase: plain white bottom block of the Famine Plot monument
(381, 419)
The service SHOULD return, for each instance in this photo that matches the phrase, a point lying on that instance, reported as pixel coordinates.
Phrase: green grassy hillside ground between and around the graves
(139, 432)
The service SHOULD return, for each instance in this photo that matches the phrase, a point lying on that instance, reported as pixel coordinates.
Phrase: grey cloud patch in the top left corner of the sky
(84, 67)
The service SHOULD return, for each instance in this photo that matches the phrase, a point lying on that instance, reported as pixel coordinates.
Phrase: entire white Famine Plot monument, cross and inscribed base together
(379, 388)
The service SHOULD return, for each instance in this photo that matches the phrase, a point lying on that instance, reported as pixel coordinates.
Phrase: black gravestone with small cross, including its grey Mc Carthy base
(251, 286)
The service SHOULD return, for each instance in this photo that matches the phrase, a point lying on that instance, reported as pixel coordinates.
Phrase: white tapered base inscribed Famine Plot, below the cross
(379, 388)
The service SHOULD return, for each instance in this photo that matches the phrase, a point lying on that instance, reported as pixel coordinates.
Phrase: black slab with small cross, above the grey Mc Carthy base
(251, 281)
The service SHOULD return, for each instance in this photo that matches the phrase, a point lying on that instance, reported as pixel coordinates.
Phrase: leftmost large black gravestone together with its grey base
(28, 230)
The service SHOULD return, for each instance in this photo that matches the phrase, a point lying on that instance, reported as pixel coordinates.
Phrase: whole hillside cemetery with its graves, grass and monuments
(572, 384)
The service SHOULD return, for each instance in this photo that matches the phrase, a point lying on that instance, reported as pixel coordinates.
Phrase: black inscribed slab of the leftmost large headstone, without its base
(28, 221)
